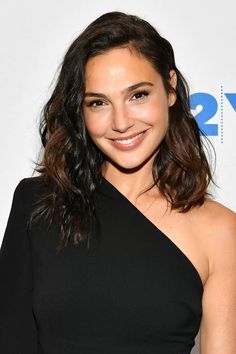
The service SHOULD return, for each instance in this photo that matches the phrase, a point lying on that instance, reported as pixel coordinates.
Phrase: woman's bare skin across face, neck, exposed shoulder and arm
(126, 114)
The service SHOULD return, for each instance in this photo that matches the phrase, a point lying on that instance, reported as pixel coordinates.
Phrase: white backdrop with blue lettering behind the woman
(34, 36)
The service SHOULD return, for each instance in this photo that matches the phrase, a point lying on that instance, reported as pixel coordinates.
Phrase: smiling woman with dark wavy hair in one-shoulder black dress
(116, 247)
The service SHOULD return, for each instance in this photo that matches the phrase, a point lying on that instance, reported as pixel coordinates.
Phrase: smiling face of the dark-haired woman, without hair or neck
(125, 107)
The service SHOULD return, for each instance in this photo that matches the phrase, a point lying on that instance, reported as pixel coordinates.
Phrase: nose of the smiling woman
(121, 120)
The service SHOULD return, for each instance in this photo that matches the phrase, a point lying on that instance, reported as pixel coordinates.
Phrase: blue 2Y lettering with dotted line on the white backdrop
(209, 108)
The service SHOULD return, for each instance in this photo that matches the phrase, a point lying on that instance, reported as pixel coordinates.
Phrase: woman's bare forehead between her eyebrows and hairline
(116, 65)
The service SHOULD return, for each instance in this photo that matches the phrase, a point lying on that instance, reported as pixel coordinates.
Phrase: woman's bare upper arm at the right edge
(218, 328)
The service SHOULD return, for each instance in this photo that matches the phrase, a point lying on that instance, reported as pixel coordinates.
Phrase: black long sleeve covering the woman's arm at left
(18, 333)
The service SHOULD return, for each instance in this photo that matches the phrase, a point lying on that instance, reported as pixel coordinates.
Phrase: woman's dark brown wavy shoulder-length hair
(71, 163)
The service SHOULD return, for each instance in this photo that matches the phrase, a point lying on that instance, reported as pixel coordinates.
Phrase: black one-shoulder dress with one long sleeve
(133, 291)
